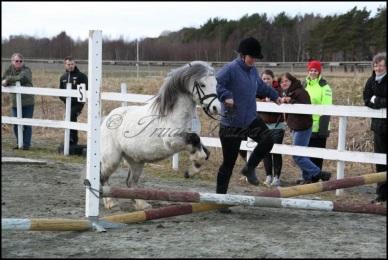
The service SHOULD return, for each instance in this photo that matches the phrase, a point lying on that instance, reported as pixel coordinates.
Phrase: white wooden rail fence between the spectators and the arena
(343, 112)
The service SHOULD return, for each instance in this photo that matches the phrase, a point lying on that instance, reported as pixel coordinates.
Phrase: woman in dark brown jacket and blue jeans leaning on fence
(300, 125)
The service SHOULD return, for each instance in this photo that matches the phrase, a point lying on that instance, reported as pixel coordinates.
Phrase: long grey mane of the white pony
(177, 83)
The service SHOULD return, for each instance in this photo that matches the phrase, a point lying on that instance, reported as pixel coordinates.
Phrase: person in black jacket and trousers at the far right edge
(375, 96)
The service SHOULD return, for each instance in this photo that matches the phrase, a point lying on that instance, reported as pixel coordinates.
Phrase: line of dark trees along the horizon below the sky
(352, 36)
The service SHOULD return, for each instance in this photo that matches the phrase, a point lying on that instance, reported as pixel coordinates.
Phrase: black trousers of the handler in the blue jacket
(231, 138)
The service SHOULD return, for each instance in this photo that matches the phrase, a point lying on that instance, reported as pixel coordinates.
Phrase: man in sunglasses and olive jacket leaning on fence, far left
(17, 71)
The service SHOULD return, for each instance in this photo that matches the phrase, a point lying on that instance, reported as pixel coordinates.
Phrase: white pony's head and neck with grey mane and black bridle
(197, 80)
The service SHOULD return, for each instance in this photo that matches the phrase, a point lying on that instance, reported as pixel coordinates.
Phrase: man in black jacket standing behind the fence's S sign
(75, 77)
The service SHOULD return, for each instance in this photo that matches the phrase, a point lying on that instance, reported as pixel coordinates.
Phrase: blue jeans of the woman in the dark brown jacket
(309, 169)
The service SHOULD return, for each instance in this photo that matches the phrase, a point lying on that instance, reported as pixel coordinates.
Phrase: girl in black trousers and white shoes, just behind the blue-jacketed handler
(273, 121)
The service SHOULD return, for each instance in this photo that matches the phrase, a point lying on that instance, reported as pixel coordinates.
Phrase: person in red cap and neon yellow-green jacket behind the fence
(320, 94)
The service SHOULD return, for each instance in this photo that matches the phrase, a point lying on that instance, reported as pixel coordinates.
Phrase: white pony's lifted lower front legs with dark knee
(198, 154)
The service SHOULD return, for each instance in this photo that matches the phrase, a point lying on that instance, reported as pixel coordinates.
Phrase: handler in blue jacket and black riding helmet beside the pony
(238, 84)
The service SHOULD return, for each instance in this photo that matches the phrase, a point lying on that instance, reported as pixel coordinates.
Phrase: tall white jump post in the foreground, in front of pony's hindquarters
(94, 118)
